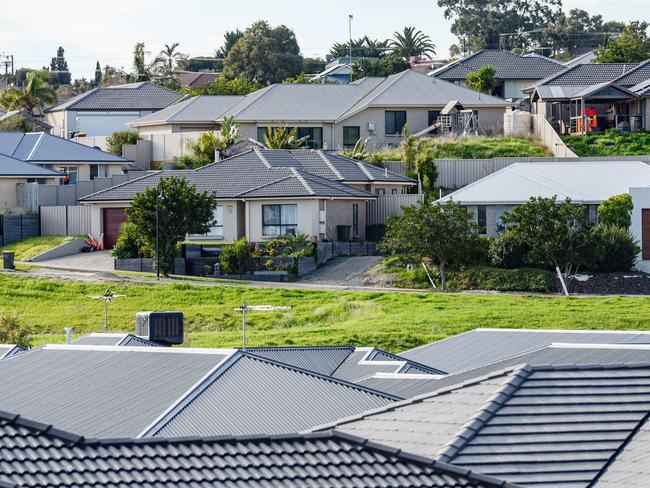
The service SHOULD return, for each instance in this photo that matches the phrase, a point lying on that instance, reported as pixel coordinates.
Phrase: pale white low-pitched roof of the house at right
(583, 182)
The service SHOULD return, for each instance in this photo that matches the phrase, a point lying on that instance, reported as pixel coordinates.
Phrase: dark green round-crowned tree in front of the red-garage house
(182, 210)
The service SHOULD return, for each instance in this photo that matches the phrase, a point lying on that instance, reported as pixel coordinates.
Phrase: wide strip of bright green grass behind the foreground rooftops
(394, 321)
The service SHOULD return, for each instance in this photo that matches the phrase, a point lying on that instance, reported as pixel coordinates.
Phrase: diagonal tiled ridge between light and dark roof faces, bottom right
(473, 426)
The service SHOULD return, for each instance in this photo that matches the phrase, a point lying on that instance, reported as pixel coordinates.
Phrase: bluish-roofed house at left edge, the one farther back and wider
(75, 161)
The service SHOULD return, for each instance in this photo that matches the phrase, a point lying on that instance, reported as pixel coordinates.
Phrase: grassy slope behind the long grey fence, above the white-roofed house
(475, 148)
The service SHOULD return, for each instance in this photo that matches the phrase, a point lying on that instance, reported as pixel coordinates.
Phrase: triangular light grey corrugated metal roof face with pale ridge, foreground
(248, 394)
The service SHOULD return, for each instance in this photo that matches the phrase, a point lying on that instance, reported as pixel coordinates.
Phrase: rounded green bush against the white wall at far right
(615, 248)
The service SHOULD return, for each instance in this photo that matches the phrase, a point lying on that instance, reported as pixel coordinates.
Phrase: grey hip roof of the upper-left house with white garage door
(132, 96)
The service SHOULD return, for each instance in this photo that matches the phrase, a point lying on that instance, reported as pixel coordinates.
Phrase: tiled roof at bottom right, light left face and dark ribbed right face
(561, 425)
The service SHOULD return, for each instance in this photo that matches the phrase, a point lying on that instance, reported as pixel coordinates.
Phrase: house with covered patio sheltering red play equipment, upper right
(592, 98)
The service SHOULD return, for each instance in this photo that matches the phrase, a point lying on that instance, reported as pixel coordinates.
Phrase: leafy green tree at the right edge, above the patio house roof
(632, 46)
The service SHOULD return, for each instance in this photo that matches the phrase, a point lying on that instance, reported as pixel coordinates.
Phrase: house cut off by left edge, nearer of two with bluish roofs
(14, 172)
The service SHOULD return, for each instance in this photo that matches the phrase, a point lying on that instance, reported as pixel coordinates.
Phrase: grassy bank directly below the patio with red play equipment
(612, 143)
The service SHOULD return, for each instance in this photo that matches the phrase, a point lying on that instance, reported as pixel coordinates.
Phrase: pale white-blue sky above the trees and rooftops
(92, 30)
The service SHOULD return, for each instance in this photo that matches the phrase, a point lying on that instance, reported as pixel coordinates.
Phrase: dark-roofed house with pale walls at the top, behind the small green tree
(513, 72)
